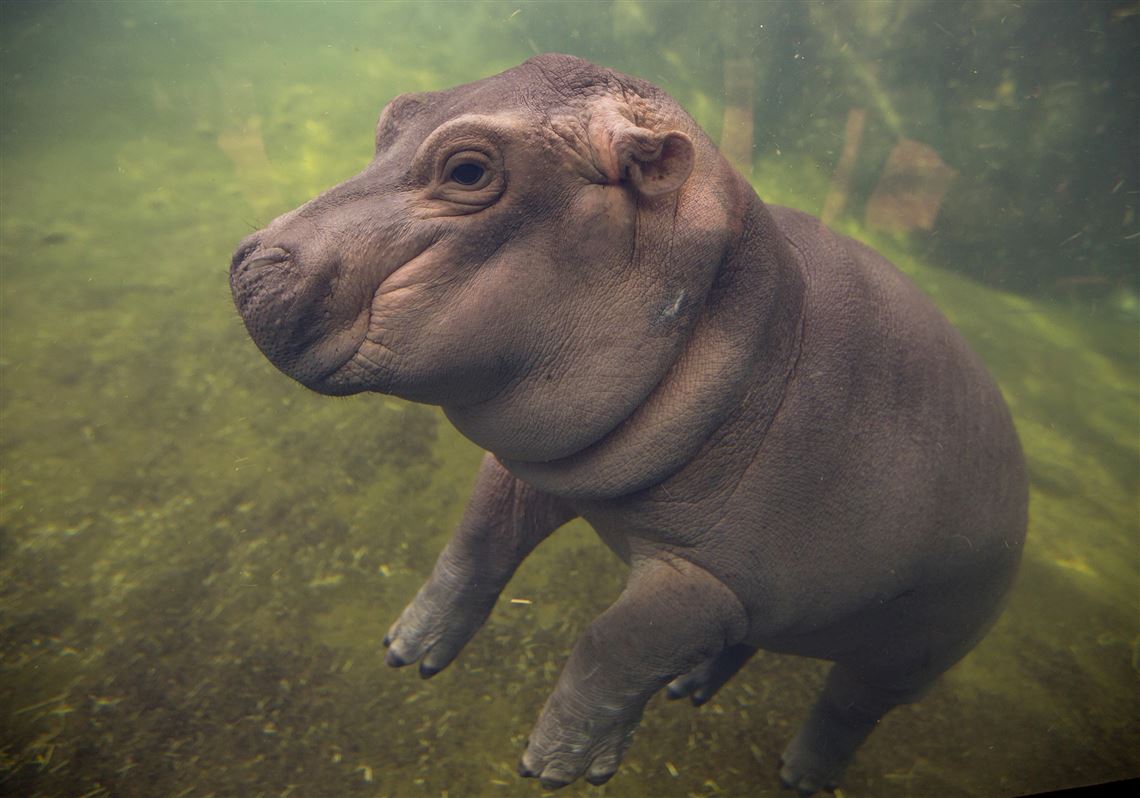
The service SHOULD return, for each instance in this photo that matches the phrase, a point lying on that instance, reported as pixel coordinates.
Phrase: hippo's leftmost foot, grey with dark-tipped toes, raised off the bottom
(436, 626)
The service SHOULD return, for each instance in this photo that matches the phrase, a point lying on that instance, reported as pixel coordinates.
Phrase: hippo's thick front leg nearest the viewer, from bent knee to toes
(672, 616)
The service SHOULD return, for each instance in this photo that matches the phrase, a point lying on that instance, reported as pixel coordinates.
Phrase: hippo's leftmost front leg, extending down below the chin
(503, 523)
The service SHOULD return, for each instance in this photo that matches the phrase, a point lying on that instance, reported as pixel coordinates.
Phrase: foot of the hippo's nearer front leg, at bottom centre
(566, 746)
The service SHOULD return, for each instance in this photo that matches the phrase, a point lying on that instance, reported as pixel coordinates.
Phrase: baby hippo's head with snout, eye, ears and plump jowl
(528, 251)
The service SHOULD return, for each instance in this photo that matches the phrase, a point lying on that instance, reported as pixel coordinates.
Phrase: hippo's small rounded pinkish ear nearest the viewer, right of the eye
(655, 162)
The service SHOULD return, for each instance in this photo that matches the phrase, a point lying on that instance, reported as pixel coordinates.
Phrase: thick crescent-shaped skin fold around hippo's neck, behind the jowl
(750, 325)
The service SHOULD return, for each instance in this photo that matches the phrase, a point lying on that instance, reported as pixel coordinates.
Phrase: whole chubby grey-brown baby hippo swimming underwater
(785, 441)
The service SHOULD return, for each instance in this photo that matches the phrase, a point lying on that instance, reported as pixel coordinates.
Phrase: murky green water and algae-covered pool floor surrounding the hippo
(199, 559)
